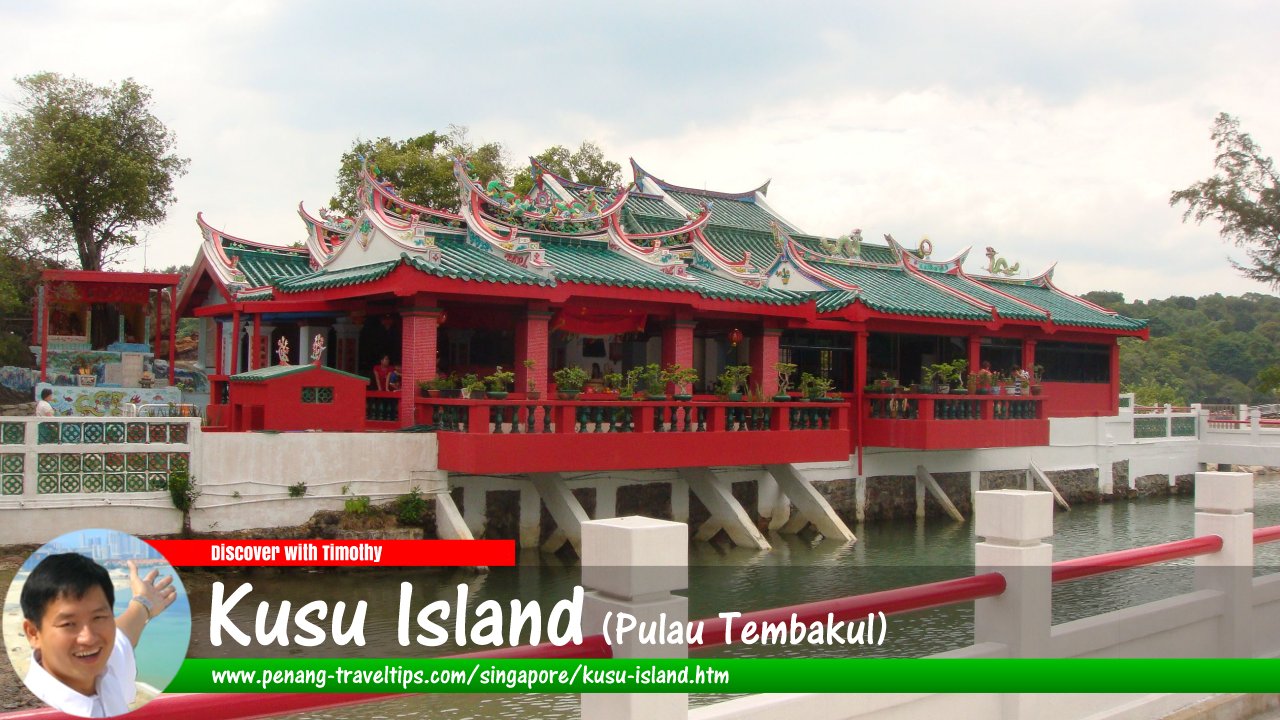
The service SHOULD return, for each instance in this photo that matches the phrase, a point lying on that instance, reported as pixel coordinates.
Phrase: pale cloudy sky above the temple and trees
(1053, 134)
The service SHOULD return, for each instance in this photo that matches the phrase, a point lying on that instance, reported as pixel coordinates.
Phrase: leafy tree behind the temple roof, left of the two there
(422, 168)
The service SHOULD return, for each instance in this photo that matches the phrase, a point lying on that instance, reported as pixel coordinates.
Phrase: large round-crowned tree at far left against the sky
(88, 163)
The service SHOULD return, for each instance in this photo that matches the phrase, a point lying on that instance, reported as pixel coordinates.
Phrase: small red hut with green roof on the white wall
(298, 398)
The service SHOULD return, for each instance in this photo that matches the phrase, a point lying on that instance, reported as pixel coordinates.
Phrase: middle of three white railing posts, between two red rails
(1014, 525)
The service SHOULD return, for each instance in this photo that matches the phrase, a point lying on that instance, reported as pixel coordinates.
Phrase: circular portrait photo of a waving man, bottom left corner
(97, 623)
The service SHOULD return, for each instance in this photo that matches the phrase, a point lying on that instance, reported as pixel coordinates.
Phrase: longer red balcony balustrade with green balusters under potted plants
(542, 436)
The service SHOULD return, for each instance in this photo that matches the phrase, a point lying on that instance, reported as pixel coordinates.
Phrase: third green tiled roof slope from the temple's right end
(892, 290)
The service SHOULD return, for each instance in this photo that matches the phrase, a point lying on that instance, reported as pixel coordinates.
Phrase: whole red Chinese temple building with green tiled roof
(897, 347)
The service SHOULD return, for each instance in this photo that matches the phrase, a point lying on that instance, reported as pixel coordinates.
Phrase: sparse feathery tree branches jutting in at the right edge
(1244, 198)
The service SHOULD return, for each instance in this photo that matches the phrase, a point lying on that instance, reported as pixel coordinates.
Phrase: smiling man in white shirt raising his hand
(84, 660)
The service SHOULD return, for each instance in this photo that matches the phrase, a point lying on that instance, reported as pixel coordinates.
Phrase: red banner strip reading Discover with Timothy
(322, 553)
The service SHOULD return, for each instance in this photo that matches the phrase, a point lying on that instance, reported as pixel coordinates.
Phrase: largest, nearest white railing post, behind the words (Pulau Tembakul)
(630, 566)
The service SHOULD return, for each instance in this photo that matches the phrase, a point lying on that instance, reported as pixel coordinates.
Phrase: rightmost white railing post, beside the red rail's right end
(1223, 508)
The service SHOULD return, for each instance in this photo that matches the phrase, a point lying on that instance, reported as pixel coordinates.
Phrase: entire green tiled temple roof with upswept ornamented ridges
(565, 239)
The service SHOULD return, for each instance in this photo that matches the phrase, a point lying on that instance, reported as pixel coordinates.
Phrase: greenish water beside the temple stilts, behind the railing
(888, 555)
